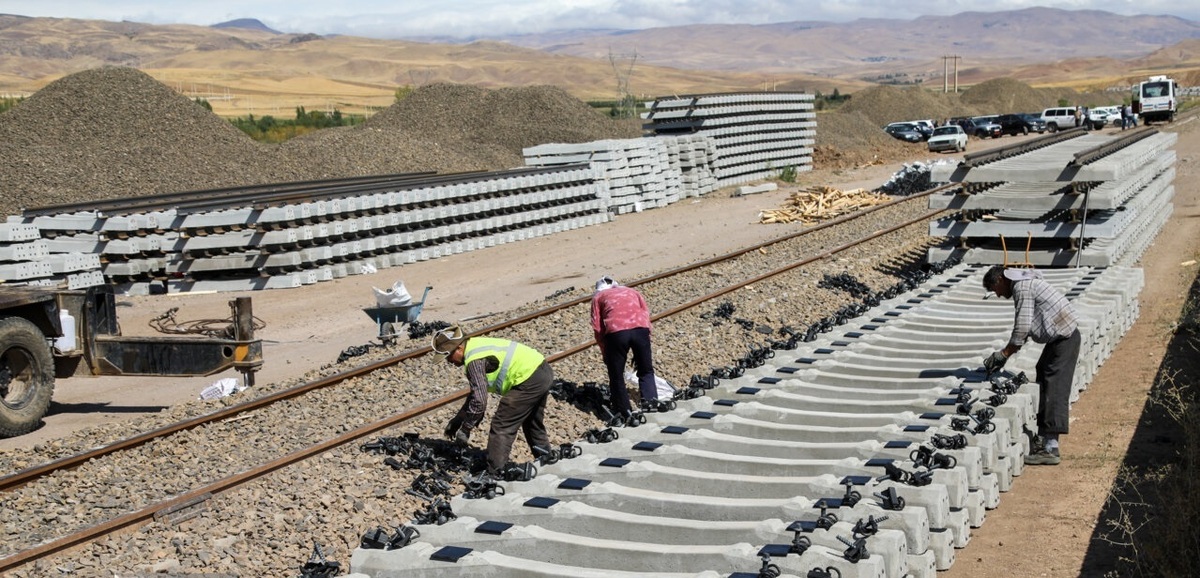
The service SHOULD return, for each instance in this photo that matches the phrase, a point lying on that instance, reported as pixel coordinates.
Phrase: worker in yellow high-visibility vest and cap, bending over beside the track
(518, 374)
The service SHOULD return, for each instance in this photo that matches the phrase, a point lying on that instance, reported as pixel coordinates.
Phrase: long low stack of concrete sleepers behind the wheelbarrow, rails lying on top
(265, 245)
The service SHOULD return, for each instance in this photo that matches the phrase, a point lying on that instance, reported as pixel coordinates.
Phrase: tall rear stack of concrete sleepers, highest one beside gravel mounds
(757, 135)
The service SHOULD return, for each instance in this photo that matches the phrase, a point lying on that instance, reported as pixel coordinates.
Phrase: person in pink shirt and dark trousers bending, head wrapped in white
(621, 321)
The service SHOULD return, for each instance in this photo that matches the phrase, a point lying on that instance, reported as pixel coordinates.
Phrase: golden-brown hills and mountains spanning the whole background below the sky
(244, 67)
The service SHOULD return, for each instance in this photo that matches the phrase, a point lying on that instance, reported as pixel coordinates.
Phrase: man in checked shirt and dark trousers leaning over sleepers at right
(1047, 317)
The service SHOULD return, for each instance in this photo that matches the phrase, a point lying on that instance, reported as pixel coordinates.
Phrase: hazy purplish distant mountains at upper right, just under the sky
(884, 50)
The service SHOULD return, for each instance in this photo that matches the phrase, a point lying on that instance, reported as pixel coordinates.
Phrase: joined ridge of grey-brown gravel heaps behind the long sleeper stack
(116, 133)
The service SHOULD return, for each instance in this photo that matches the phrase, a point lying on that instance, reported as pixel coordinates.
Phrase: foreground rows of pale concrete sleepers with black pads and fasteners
(883, 437)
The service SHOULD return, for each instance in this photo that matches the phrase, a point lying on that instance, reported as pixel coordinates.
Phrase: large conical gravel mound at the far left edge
(116, 133)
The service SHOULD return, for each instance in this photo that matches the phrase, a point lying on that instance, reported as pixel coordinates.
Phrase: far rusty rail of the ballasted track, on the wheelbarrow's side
(32, 474)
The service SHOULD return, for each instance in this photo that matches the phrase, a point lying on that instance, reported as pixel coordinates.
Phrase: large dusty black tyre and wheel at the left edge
(27, 377)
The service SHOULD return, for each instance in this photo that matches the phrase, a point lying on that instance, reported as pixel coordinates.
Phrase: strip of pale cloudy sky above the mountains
(475, 19)
